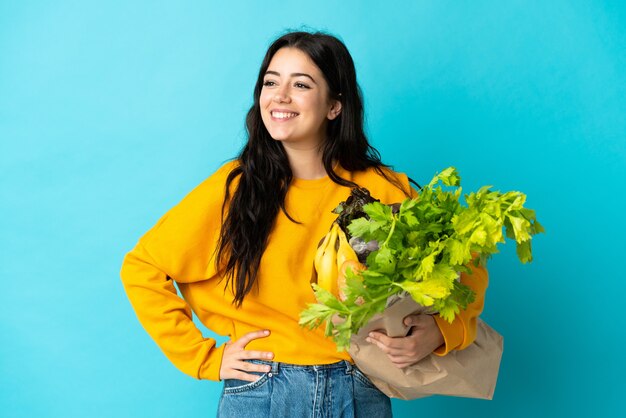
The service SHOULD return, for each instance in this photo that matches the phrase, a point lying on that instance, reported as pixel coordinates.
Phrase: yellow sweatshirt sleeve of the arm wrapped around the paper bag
(462, 331)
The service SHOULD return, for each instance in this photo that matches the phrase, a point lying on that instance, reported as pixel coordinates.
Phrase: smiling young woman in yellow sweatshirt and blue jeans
(240, 248)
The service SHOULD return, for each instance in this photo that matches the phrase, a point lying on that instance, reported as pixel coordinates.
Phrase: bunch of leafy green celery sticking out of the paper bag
(424, 244)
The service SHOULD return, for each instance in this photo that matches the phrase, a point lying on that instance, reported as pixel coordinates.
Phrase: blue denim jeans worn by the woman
(288, 390)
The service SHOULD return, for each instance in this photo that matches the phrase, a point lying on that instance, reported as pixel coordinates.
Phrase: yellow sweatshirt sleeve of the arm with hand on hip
(178, 248)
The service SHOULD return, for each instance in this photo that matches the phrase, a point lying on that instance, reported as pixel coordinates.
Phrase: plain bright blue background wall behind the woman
(110, 112)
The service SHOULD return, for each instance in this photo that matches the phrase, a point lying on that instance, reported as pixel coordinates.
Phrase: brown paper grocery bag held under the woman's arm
(471, 372)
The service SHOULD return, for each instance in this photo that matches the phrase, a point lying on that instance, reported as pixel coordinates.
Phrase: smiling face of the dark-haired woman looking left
(295, 105)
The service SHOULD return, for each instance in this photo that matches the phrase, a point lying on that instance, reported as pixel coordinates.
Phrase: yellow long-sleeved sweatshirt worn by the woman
(180, 248)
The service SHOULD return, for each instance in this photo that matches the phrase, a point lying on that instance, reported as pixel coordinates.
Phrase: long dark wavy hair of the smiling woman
(264, 171)
